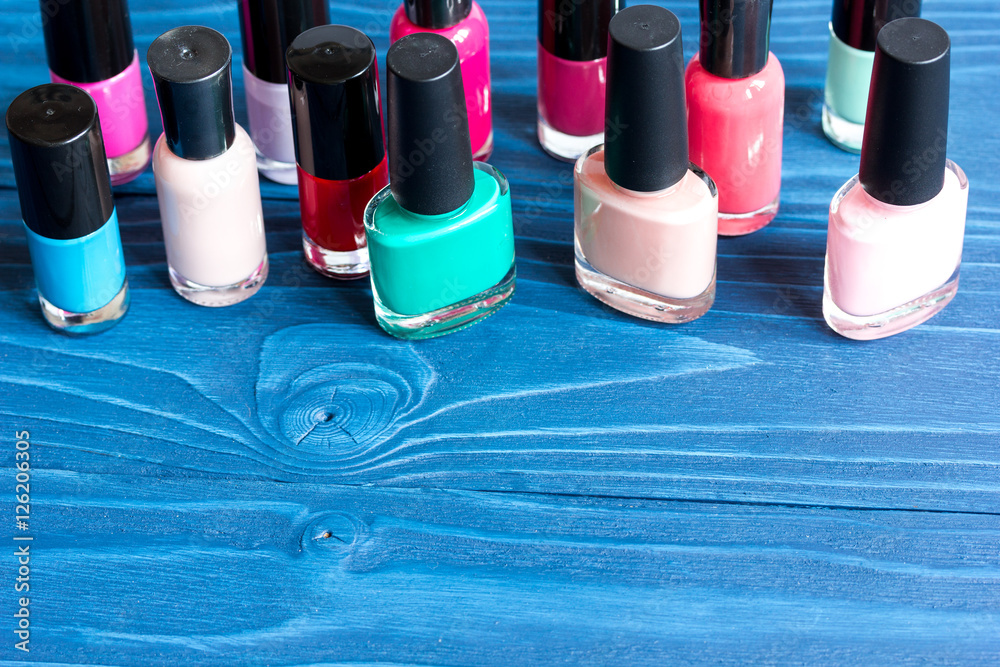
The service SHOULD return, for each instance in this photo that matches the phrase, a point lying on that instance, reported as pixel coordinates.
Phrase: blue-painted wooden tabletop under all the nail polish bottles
(279, 482)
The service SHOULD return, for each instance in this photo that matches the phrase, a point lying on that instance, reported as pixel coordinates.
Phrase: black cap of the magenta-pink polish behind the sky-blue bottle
(87, 41)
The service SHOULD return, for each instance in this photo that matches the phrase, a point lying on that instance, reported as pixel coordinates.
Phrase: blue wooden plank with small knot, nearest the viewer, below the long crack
(280, 574)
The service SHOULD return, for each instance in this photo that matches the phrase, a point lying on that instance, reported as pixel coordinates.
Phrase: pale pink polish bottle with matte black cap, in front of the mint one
(894, 244)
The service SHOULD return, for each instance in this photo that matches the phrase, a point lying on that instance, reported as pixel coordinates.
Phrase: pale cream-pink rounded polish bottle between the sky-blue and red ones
(205, 169)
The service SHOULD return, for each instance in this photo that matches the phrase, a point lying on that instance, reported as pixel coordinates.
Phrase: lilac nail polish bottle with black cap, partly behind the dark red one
(267, 27)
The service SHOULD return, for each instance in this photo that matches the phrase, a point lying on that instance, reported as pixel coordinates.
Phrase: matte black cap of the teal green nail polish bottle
(430, 156)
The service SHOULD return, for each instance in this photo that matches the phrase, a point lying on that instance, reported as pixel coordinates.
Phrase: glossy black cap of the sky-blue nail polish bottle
(61, 171)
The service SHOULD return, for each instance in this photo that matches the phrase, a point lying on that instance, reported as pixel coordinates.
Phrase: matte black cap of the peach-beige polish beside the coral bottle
(645, 145)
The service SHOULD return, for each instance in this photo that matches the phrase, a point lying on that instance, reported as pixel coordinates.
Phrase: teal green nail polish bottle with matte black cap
(441, 235)
